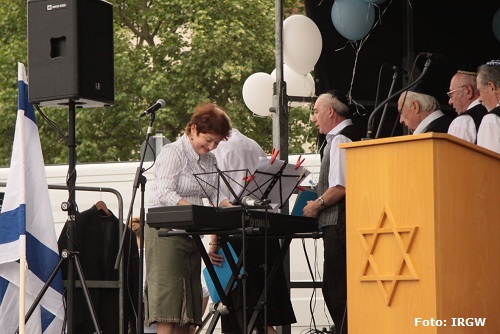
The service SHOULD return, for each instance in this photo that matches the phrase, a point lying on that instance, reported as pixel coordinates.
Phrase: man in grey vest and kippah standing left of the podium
(331, 117)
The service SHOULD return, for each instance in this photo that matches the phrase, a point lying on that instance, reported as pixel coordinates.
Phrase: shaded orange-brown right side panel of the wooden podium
(467, 227)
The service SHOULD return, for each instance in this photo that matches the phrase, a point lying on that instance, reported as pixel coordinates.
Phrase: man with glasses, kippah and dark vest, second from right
(464, 98)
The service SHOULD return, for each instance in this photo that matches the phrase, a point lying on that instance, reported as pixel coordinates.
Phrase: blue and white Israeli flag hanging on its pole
(28, 242)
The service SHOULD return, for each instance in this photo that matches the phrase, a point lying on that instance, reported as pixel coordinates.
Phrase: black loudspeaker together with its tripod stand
(70, 64)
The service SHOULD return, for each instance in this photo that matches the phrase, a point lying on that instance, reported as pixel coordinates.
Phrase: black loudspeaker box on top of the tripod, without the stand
(70, 53)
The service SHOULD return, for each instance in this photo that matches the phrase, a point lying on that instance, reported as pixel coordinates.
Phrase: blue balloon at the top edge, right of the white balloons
(353, 19)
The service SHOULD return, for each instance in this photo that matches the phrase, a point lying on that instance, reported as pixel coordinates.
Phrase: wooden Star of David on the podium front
(387, 248)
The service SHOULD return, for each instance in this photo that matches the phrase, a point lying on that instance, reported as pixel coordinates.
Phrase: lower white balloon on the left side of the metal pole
(258, 93)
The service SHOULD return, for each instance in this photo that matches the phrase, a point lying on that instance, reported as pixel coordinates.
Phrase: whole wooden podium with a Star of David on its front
(423, 236)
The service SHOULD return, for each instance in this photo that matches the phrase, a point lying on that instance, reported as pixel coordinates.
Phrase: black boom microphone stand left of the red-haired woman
(140, 179)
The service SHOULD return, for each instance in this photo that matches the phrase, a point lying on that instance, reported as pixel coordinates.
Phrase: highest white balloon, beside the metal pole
(302, 43)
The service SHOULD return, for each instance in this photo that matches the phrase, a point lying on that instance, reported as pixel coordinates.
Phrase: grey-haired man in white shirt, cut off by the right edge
(488, 85)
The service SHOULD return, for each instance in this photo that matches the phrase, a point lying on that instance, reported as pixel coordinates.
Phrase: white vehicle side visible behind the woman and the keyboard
(113, 184)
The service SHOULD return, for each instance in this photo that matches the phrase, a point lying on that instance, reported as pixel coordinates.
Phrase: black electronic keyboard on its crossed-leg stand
(195, 221)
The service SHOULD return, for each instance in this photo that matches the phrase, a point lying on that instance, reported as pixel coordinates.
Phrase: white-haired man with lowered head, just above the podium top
(421, 113)
